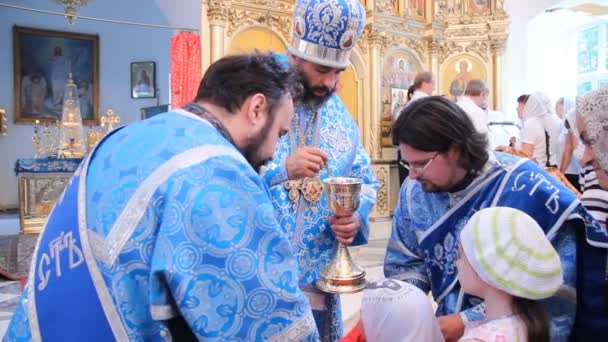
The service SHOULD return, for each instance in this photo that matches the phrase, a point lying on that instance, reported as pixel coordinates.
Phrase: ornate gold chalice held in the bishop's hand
(342, 275)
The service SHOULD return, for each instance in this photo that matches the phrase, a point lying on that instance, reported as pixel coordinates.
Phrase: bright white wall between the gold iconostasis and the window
(541, 51)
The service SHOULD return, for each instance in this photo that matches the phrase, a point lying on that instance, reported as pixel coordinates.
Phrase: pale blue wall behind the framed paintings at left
(119, 45)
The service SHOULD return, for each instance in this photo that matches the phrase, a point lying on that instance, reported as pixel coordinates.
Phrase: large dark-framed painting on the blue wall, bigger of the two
(44, 60)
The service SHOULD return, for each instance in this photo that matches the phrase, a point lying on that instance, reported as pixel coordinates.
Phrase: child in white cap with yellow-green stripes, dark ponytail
(506, 259)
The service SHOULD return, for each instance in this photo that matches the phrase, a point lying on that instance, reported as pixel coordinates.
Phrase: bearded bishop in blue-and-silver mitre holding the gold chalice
(322, 133)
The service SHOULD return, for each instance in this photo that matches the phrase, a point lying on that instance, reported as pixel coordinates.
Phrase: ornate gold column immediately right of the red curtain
(218, 17)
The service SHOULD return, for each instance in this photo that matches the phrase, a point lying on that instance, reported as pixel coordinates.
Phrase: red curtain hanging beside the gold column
(185, 68)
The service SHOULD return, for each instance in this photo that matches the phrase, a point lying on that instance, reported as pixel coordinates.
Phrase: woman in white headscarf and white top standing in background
(541, 130)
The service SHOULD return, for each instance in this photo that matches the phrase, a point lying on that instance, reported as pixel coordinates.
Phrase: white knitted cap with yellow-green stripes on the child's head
(508, 250)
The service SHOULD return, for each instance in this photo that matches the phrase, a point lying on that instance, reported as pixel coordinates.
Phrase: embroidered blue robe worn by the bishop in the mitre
(336, 133)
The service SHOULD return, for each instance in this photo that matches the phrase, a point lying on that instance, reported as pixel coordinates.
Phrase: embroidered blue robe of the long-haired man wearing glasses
(424, 240)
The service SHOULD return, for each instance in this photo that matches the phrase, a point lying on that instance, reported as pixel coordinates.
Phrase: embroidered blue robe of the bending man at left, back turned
(166, 220)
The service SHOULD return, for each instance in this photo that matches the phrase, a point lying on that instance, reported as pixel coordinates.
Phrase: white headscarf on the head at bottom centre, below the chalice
(396, 311)
